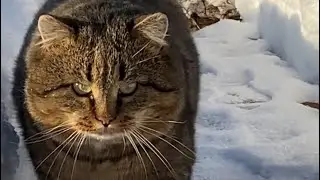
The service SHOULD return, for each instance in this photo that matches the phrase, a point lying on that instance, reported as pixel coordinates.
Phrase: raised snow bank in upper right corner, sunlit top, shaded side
(291, 28)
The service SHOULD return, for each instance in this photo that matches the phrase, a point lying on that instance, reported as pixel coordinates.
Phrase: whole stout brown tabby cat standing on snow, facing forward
(108, 90)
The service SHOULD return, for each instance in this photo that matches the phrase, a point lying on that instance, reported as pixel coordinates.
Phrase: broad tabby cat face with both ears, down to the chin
(104, 82)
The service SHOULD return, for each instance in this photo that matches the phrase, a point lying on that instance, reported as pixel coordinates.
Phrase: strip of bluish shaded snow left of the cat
(16, 15)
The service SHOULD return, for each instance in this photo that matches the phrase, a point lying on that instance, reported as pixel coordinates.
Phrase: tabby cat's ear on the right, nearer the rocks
(153, 27)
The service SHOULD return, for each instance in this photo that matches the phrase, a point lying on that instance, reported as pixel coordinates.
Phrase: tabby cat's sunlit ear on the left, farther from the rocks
(52, 30)
